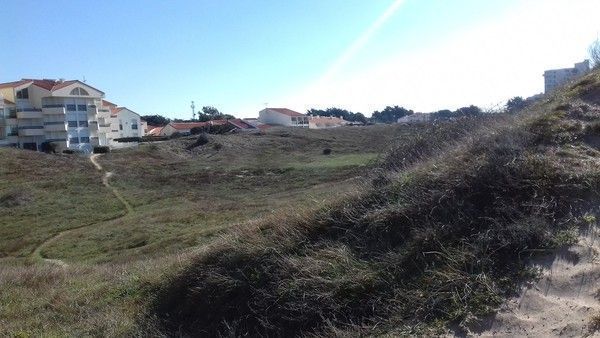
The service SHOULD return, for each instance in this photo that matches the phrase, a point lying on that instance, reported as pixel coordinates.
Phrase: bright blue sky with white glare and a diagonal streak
(238, 55)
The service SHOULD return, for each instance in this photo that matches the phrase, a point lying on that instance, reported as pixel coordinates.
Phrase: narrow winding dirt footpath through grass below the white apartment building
(37, 252)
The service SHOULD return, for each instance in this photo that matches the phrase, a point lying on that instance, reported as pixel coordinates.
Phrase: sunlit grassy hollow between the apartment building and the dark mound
(181, 199)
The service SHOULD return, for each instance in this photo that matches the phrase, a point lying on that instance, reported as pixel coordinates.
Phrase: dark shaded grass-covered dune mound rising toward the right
(440, 236)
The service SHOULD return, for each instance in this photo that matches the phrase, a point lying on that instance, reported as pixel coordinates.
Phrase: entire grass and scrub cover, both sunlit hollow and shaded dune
(396, 230)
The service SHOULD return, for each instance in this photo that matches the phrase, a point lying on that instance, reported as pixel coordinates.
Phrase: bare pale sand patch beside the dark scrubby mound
(563, 302)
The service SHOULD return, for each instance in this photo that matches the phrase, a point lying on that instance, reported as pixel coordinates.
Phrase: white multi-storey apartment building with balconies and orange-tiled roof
(70, 114)
